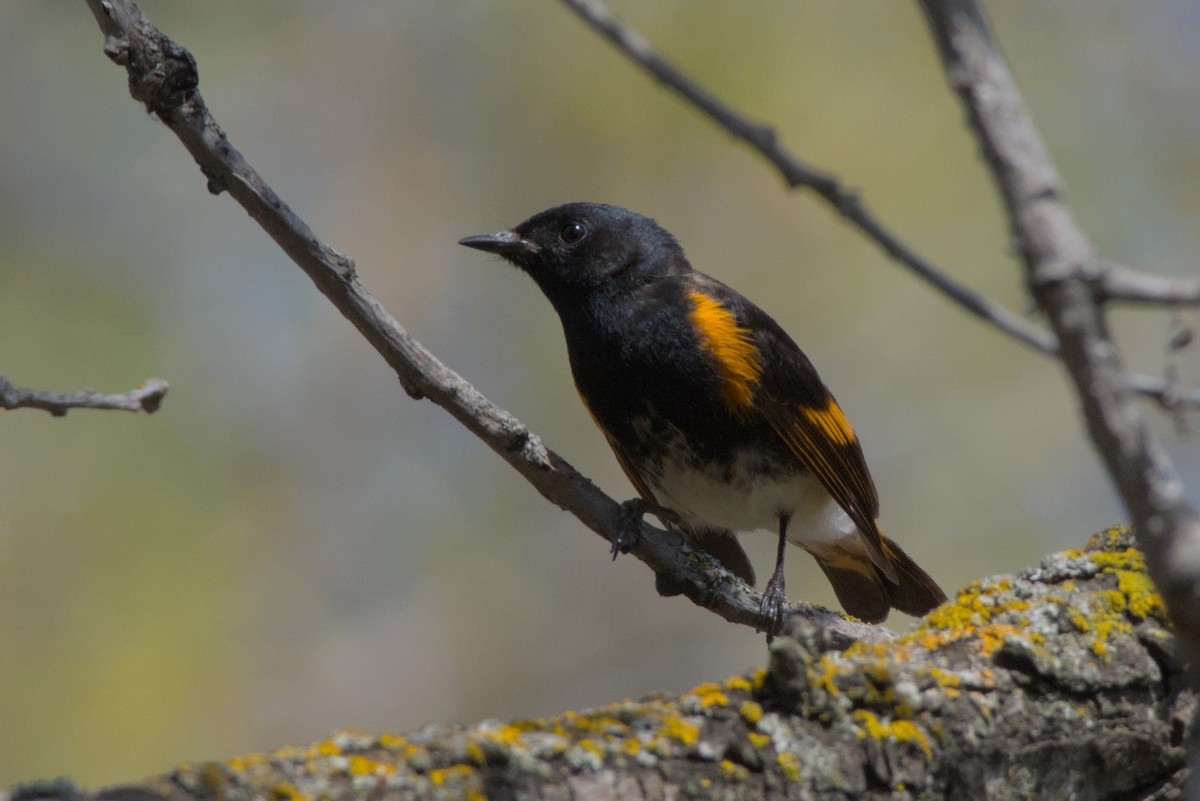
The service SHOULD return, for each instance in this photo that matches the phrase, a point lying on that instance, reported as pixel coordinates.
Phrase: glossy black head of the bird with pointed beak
(578, 249)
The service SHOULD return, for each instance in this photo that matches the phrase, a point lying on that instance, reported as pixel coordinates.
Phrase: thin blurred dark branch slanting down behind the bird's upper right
(799, 174)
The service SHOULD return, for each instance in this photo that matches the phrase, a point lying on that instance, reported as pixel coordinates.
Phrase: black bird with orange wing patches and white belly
(716, 415)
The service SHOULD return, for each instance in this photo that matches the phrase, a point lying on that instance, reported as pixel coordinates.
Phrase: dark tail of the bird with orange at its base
(867, 594)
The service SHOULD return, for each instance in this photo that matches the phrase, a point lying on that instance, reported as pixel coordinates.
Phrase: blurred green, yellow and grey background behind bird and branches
(292, 545)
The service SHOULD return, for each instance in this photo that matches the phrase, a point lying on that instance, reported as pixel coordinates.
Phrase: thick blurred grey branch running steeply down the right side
(1059, 261)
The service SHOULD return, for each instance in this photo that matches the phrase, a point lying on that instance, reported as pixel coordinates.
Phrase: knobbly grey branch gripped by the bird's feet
(164, 77)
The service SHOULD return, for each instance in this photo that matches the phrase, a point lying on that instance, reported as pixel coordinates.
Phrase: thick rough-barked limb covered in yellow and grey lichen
(1059, 683)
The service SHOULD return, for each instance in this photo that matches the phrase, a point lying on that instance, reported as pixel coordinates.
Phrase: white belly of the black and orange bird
(741, 502)
